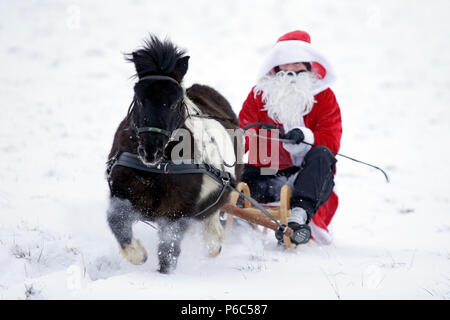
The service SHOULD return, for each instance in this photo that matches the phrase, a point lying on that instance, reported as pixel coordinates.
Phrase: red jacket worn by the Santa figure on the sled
(324, 121)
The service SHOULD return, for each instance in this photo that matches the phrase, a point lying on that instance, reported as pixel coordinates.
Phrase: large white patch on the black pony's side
(213, 145)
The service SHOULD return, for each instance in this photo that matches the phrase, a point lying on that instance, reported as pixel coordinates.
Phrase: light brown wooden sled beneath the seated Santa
(255, 216)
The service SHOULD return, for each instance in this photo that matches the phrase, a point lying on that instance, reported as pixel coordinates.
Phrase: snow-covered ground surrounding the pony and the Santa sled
(64, 87)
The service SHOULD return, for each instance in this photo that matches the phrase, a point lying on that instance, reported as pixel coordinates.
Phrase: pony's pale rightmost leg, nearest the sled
(213, 233)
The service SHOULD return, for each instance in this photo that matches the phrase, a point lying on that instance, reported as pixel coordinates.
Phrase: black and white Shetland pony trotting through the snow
(171, 200)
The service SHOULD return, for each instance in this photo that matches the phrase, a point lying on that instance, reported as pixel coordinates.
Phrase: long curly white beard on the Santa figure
(287, 96)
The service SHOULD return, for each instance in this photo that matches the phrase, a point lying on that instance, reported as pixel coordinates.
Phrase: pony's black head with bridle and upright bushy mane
(158, 106)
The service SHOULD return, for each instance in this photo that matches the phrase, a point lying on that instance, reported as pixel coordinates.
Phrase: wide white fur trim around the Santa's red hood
(291, 51)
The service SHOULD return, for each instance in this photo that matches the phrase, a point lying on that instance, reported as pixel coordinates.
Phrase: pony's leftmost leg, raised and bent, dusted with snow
(120, 219)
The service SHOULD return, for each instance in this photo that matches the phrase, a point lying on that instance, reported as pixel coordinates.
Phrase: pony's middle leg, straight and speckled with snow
(170, 235)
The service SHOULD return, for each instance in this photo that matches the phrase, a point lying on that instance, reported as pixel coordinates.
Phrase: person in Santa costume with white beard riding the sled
(293, 92)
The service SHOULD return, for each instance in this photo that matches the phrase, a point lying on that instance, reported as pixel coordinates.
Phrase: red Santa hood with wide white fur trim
(296, 46)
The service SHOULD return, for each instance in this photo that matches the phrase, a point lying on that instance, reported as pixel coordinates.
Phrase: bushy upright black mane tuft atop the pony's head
(155, 57)
